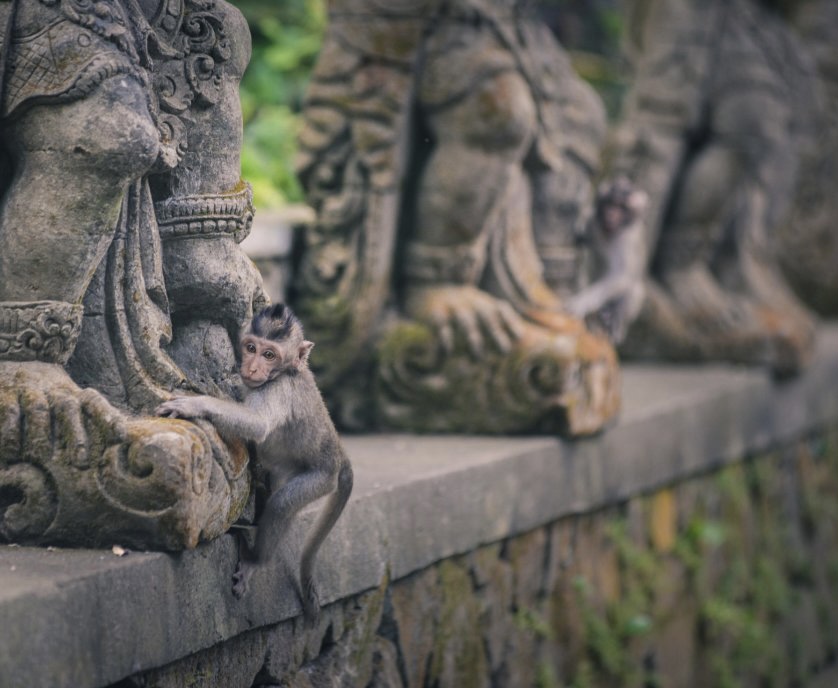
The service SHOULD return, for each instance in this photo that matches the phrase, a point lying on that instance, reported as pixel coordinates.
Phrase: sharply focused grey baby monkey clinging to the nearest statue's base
(296, 441)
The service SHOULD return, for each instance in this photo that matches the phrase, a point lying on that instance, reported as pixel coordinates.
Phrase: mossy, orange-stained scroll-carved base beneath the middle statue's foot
(565, 383)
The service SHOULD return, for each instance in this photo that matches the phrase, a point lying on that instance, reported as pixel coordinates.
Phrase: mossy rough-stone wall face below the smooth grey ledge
(727, 579)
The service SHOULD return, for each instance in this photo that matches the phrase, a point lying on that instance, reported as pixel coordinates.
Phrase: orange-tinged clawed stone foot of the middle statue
(465, 312)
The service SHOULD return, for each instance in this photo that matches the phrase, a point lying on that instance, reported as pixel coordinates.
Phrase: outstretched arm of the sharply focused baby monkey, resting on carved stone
(231, 419)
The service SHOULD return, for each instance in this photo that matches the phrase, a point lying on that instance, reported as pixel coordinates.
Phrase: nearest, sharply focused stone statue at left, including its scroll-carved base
(121, 279)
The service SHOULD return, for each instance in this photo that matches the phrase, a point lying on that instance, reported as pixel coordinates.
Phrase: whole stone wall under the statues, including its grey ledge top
(692, 544)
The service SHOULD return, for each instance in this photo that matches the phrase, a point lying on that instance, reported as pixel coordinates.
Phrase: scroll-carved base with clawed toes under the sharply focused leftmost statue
(75, 470)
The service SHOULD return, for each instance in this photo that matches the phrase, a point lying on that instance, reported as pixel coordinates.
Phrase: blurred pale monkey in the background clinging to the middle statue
(618, 241)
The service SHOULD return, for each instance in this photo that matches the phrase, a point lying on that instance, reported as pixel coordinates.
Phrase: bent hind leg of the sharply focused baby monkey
(281, 507)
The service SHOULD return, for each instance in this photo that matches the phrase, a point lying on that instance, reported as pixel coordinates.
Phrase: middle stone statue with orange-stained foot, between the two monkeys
(444, 146)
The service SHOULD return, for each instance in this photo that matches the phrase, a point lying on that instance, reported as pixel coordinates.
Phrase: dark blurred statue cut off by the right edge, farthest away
(808, 241)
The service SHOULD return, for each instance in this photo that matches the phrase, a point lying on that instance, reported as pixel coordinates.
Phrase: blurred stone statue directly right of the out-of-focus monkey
(712, 131)
